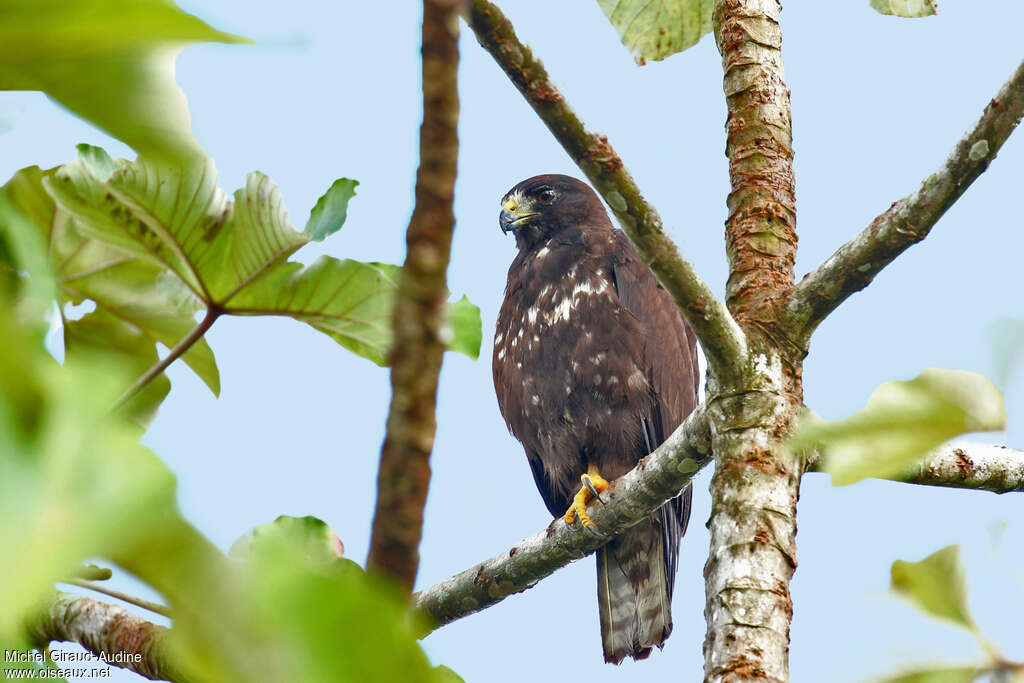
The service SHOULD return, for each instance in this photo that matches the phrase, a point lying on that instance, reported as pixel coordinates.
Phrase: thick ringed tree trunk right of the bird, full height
(756, 484)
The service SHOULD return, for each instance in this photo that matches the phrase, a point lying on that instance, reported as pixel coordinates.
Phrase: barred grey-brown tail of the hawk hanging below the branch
(633, 593)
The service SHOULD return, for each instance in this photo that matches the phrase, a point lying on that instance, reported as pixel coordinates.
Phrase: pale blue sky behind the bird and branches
(331, 90)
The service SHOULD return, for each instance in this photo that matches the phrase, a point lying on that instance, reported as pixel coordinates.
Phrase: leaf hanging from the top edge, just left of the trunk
(658, 29)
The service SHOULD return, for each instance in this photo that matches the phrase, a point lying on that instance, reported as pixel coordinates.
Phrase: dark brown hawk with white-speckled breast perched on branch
(594, 368)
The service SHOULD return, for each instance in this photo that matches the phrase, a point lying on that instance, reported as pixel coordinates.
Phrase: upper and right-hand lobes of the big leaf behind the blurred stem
(233, 257)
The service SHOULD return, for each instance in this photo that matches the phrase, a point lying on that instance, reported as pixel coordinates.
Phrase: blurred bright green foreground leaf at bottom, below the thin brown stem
(289, 606)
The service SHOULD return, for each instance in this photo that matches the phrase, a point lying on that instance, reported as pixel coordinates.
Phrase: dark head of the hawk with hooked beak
(539, 208)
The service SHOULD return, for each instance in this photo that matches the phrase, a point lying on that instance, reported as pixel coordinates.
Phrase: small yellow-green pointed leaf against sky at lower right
(936, 586)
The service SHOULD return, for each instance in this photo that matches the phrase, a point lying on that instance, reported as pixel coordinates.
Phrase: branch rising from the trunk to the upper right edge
(909, 221)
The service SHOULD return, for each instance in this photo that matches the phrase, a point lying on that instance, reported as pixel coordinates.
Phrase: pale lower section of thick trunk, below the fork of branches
(753, 525)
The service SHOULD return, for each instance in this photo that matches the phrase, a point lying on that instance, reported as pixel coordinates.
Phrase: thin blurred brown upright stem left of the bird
(419, 313)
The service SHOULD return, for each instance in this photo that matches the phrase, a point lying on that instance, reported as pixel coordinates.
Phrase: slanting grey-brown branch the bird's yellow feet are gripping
(657, 479)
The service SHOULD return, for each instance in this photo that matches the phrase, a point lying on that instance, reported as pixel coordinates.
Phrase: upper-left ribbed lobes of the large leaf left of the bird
(215, 247)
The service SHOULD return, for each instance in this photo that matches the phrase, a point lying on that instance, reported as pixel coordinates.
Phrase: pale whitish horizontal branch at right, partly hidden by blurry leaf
(977, 466)
